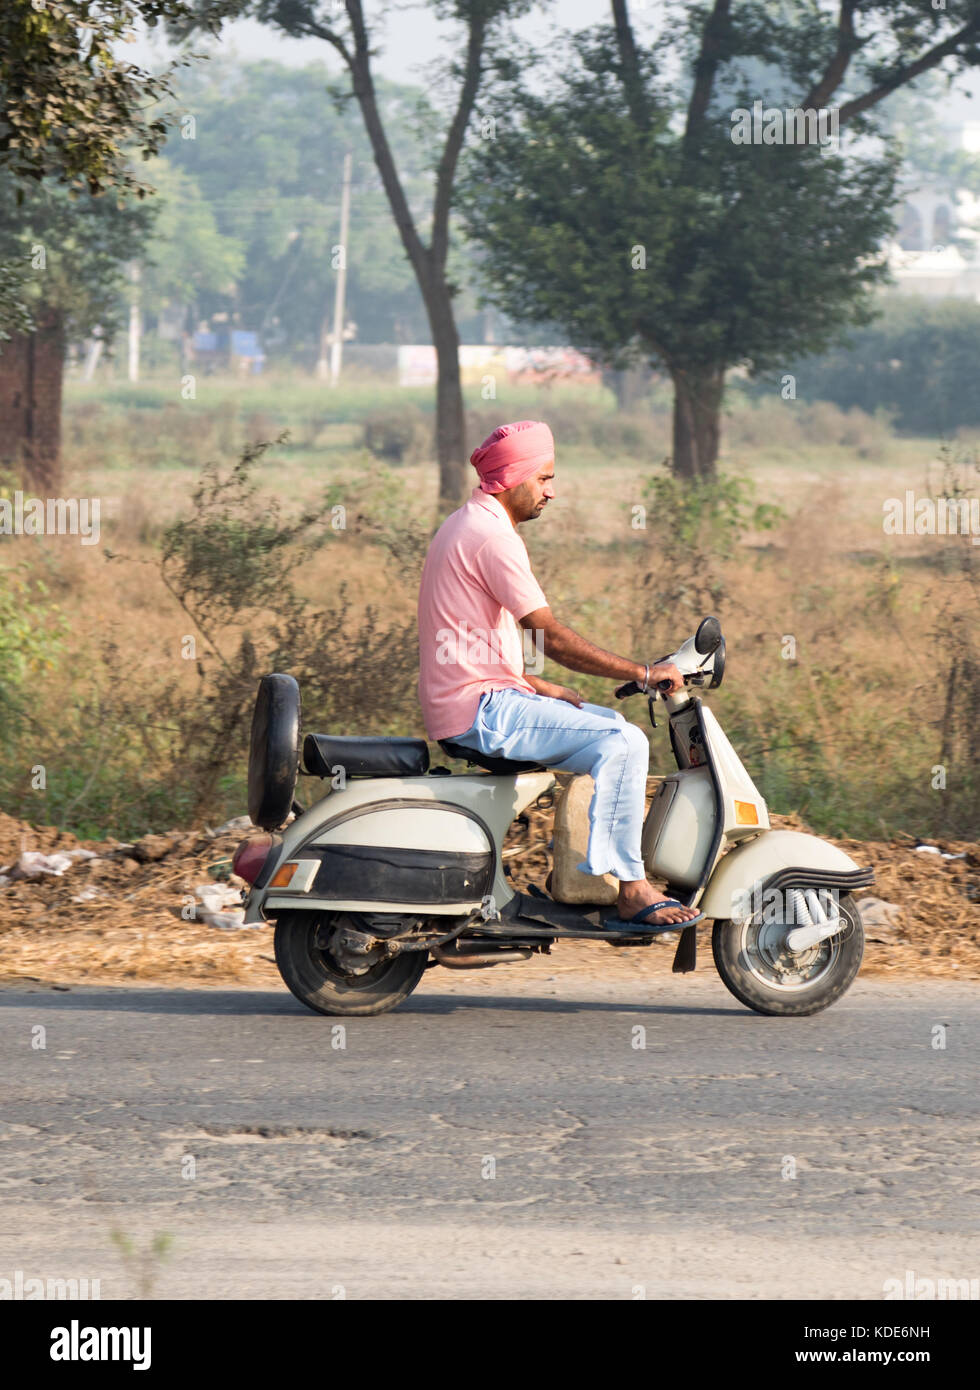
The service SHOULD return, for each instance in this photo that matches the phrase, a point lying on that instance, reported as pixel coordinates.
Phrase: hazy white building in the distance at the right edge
(936, 251)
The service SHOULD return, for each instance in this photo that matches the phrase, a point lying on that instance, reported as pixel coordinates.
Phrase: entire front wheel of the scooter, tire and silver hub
(762, 974)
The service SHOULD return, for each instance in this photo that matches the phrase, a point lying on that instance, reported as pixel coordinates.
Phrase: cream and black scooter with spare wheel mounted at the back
(398, 867)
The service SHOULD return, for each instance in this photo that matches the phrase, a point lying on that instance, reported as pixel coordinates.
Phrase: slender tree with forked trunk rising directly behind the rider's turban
(354, 38)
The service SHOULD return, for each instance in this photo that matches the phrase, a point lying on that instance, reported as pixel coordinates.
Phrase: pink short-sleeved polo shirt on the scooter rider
(476, 583)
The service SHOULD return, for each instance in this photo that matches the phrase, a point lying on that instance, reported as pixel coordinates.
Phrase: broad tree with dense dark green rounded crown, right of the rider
(622, 209)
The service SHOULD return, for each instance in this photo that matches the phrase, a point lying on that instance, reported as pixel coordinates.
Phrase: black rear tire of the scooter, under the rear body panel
(322, 986)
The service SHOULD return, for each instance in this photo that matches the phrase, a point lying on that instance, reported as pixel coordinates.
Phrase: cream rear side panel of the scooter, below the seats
(409, 814)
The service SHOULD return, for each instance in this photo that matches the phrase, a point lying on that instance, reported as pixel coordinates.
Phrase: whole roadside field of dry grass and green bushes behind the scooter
(129, 669)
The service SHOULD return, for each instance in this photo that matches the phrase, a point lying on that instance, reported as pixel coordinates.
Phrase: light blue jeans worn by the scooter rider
(590, 740)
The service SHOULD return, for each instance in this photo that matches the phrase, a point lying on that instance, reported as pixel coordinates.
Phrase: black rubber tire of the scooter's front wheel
(836, 963)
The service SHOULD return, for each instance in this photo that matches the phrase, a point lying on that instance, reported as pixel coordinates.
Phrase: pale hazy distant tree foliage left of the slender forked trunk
(268, 156)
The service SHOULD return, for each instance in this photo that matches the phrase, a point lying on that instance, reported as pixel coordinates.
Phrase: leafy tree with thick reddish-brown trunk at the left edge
(73, 115)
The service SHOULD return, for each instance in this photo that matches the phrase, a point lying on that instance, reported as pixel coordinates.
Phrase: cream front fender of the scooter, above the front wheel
(737, 883)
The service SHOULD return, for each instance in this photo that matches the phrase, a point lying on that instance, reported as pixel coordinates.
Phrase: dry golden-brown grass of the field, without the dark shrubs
(846, 733)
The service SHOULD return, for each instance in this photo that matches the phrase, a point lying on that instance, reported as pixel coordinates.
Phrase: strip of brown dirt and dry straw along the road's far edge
(116, 918)
